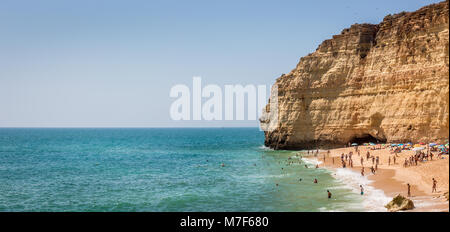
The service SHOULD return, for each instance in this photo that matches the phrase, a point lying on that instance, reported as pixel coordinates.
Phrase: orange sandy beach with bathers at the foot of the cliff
(392, 179)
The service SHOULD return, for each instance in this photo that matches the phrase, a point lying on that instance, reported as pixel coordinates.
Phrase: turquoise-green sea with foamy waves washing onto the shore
(160, 170)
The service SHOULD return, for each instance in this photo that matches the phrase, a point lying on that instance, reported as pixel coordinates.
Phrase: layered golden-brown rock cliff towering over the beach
(387, 82)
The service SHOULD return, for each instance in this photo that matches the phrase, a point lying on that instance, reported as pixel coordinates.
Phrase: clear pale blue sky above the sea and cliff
(112, 63)
